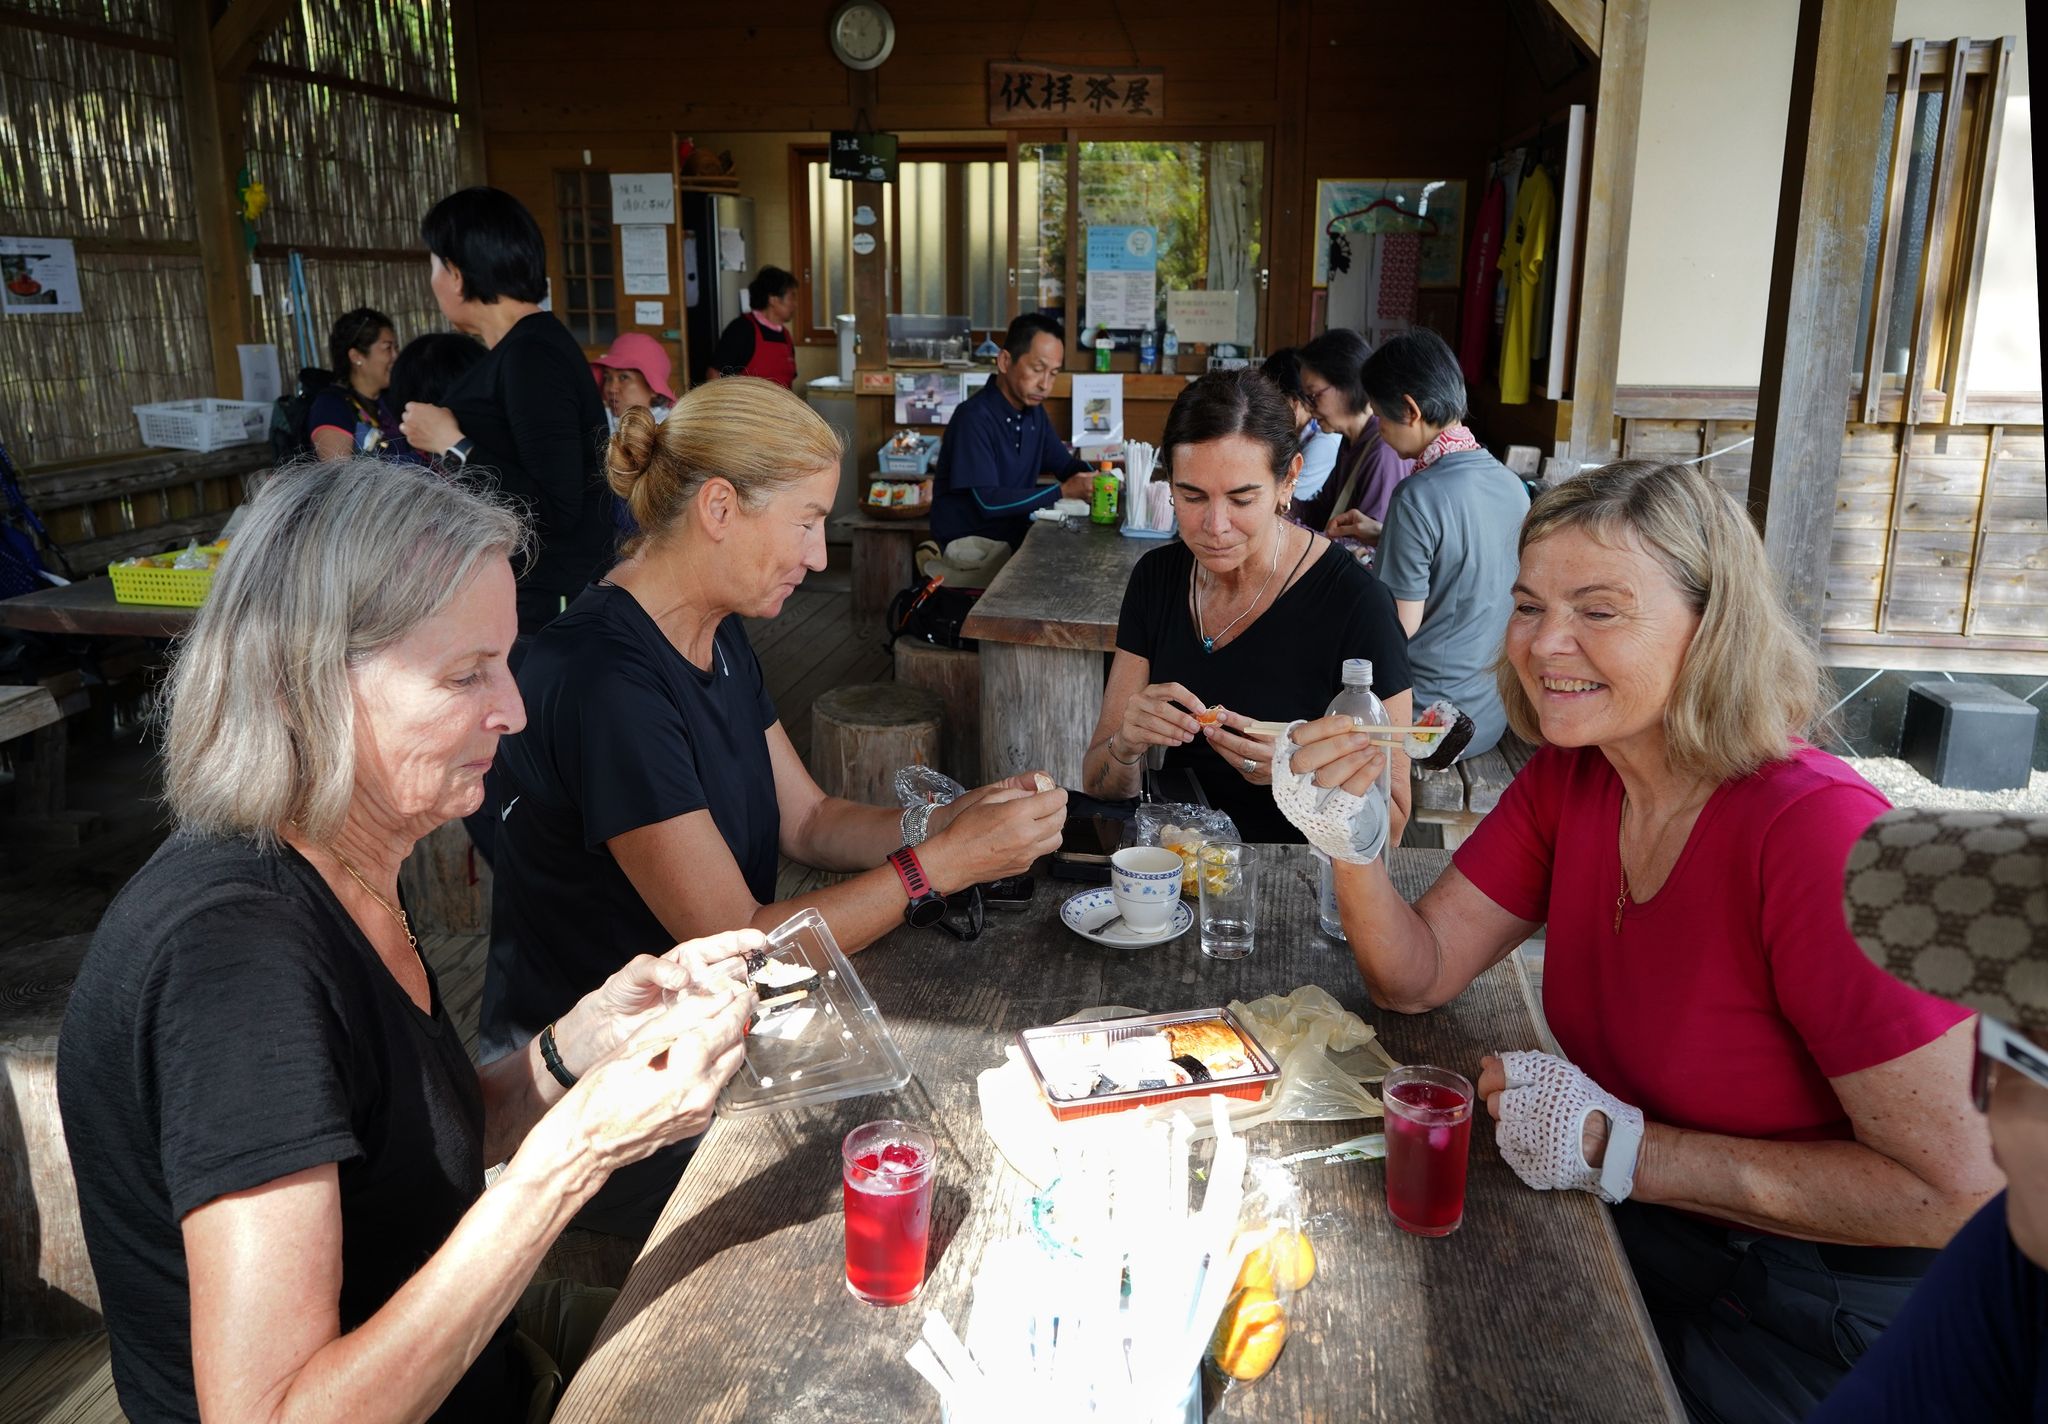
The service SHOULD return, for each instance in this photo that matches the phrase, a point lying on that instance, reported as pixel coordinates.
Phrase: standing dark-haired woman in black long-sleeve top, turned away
(527, 419)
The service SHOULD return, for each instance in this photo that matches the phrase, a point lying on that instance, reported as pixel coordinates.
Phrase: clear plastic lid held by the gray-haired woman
(818, 1036)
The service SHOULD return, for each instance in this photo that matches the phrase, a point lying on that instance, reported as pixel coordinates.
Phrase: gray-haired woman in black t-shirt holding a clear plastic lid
(278, 1134)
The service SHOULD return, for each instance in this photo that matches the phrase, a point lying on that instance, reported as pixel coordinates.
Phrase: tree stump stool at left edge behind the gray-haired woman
(46, 1278)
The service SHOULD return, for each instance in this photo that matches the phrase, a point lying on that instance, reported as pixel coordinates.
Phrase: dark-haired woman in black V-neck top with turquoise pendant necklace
(1248, 614)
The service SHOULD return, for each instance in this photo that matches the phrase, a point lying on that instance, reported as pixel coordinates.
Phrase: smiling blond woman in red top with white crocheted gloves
(1785, 1128)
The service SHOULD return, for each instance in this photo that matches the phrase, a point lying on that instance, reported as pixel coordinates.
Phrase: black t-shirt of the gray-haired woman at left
(230, 1025)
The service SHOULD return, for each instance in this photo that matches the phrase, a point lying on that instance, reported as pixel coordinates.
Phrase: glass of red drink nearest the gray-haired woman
(888, 1183)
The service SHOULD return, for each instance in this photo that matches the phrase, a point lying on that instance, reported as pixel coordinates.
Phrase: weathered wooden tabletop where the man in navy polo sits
(1062, 589)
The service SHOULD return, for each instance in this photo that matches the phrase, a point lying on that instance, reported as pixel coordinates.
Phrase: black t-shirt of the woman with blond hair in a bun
(622, 732)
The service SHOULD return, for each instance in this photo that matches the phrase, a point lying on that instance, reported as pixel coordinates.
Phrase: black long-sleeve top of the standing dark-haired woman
(538, 429)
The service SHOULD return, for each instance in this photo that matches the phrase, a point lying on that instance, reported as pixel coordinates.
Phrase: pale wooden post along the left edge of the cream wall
(1611, 196)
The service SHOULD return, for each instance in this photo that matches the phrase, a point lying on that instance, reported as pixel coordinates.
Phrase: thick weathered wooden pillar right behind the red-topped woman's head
(1824, 202)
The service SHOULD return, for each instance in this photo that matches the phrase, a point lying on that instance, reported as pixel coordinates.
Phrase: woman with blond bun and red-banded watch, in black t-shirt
(654, 784)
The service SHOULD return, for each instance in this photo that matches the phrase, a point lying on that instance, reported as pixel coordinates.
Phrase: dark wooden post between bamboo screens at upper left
(214, 144)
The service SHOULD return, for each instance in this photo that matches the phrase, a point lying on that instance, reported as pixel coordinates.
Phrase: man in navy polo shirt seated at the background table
(1000, 442)
